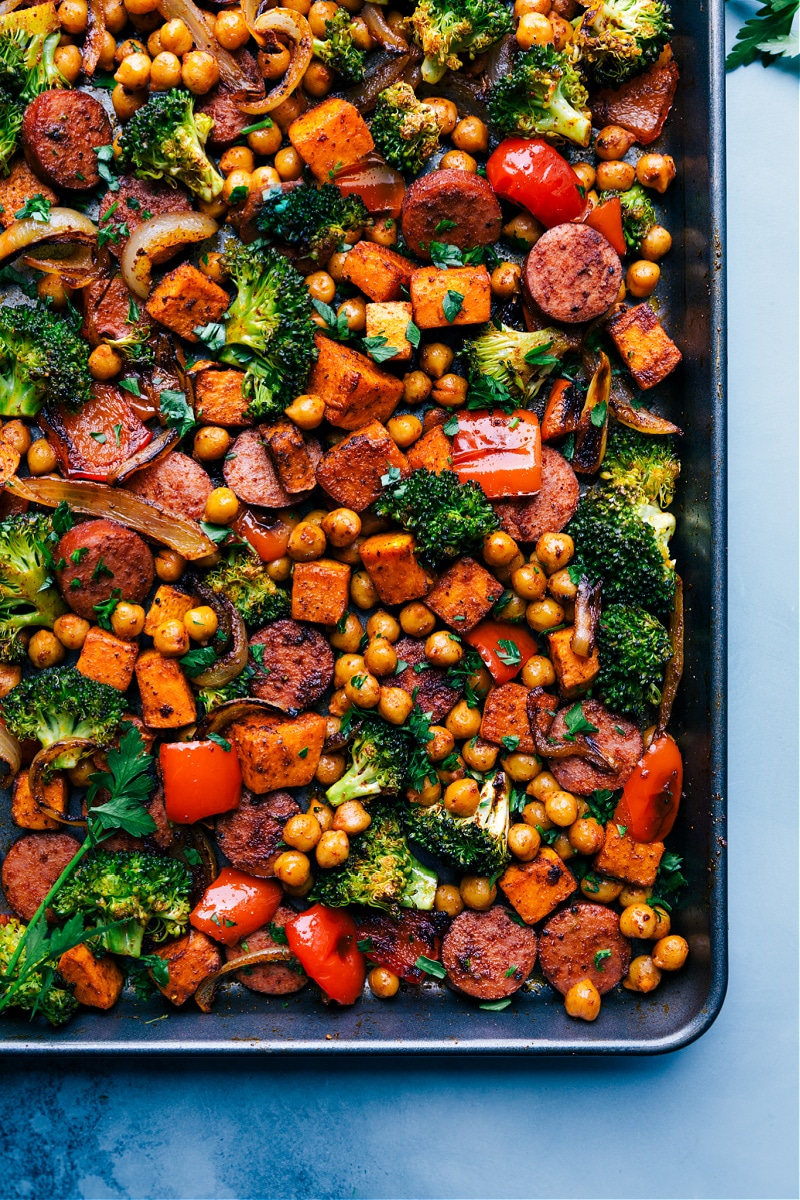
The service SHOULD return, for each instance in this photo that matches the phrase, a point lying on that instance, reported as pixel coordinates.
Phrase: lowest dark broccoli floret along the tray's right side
(634, 650)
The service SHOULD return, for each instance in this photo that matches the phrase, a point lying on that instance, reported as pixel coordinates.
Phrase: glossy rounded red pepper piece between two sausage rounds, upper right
(532, 173)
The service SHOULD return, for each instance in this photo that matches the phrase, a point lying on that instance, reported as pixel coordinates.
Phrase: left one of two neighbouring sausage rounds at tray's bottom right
(488, 956)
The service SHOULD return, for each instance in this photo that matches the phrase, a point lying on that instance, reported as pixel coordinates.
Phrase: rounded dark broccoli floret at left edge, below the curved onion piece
(41, 358)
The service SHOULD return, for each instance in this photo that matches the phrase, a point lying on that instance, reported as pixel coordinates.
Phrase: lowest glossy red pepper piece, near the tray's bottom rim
(326, 943)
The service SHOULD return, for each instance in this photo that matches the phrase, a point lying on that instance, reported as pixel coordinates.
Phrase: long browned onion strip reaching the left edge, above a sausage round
(125, 508)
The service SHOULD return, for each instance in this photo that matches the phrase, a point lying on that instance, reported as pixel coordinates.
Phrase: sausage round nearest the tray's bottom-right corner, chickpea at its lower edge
(584, 943)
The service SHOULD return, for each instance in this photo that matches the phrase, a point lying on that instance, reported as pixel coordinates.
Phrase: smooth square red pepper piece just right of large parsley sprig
(201, 779)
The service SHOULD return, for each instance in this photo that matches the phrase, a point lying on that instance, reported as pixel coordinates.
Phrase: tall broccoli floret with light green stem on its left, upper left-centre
(269, 332)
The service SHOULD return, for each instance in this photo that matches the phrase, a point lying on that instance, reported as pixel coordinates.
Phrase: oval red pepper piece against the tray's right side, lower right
(651, 800)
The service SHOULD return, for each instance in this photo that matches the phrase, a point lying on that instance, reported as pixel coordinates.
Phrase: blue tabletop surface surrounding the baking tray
(718, 1120)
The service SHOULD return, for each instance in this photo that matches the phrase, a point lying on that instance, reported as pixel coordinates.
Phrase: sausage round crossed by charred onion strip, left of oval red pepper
(618, 740)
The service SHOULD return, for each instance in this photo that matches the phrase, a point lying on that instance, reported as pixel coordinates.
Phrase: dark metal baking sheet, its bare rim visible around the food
(431, 1019)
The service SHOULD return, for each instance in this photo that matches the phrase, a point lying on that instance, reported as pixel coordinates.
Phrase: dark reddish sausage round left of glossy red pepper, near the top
(450, 196)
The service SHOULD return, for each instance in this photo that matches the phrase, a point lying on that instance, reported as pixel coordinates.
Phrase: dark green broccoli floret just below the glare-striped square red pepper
(448, 519)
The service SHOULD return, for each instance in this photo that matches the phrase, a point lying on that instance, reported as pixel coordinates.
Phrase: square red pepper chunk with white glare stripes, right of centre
(500, 452)
